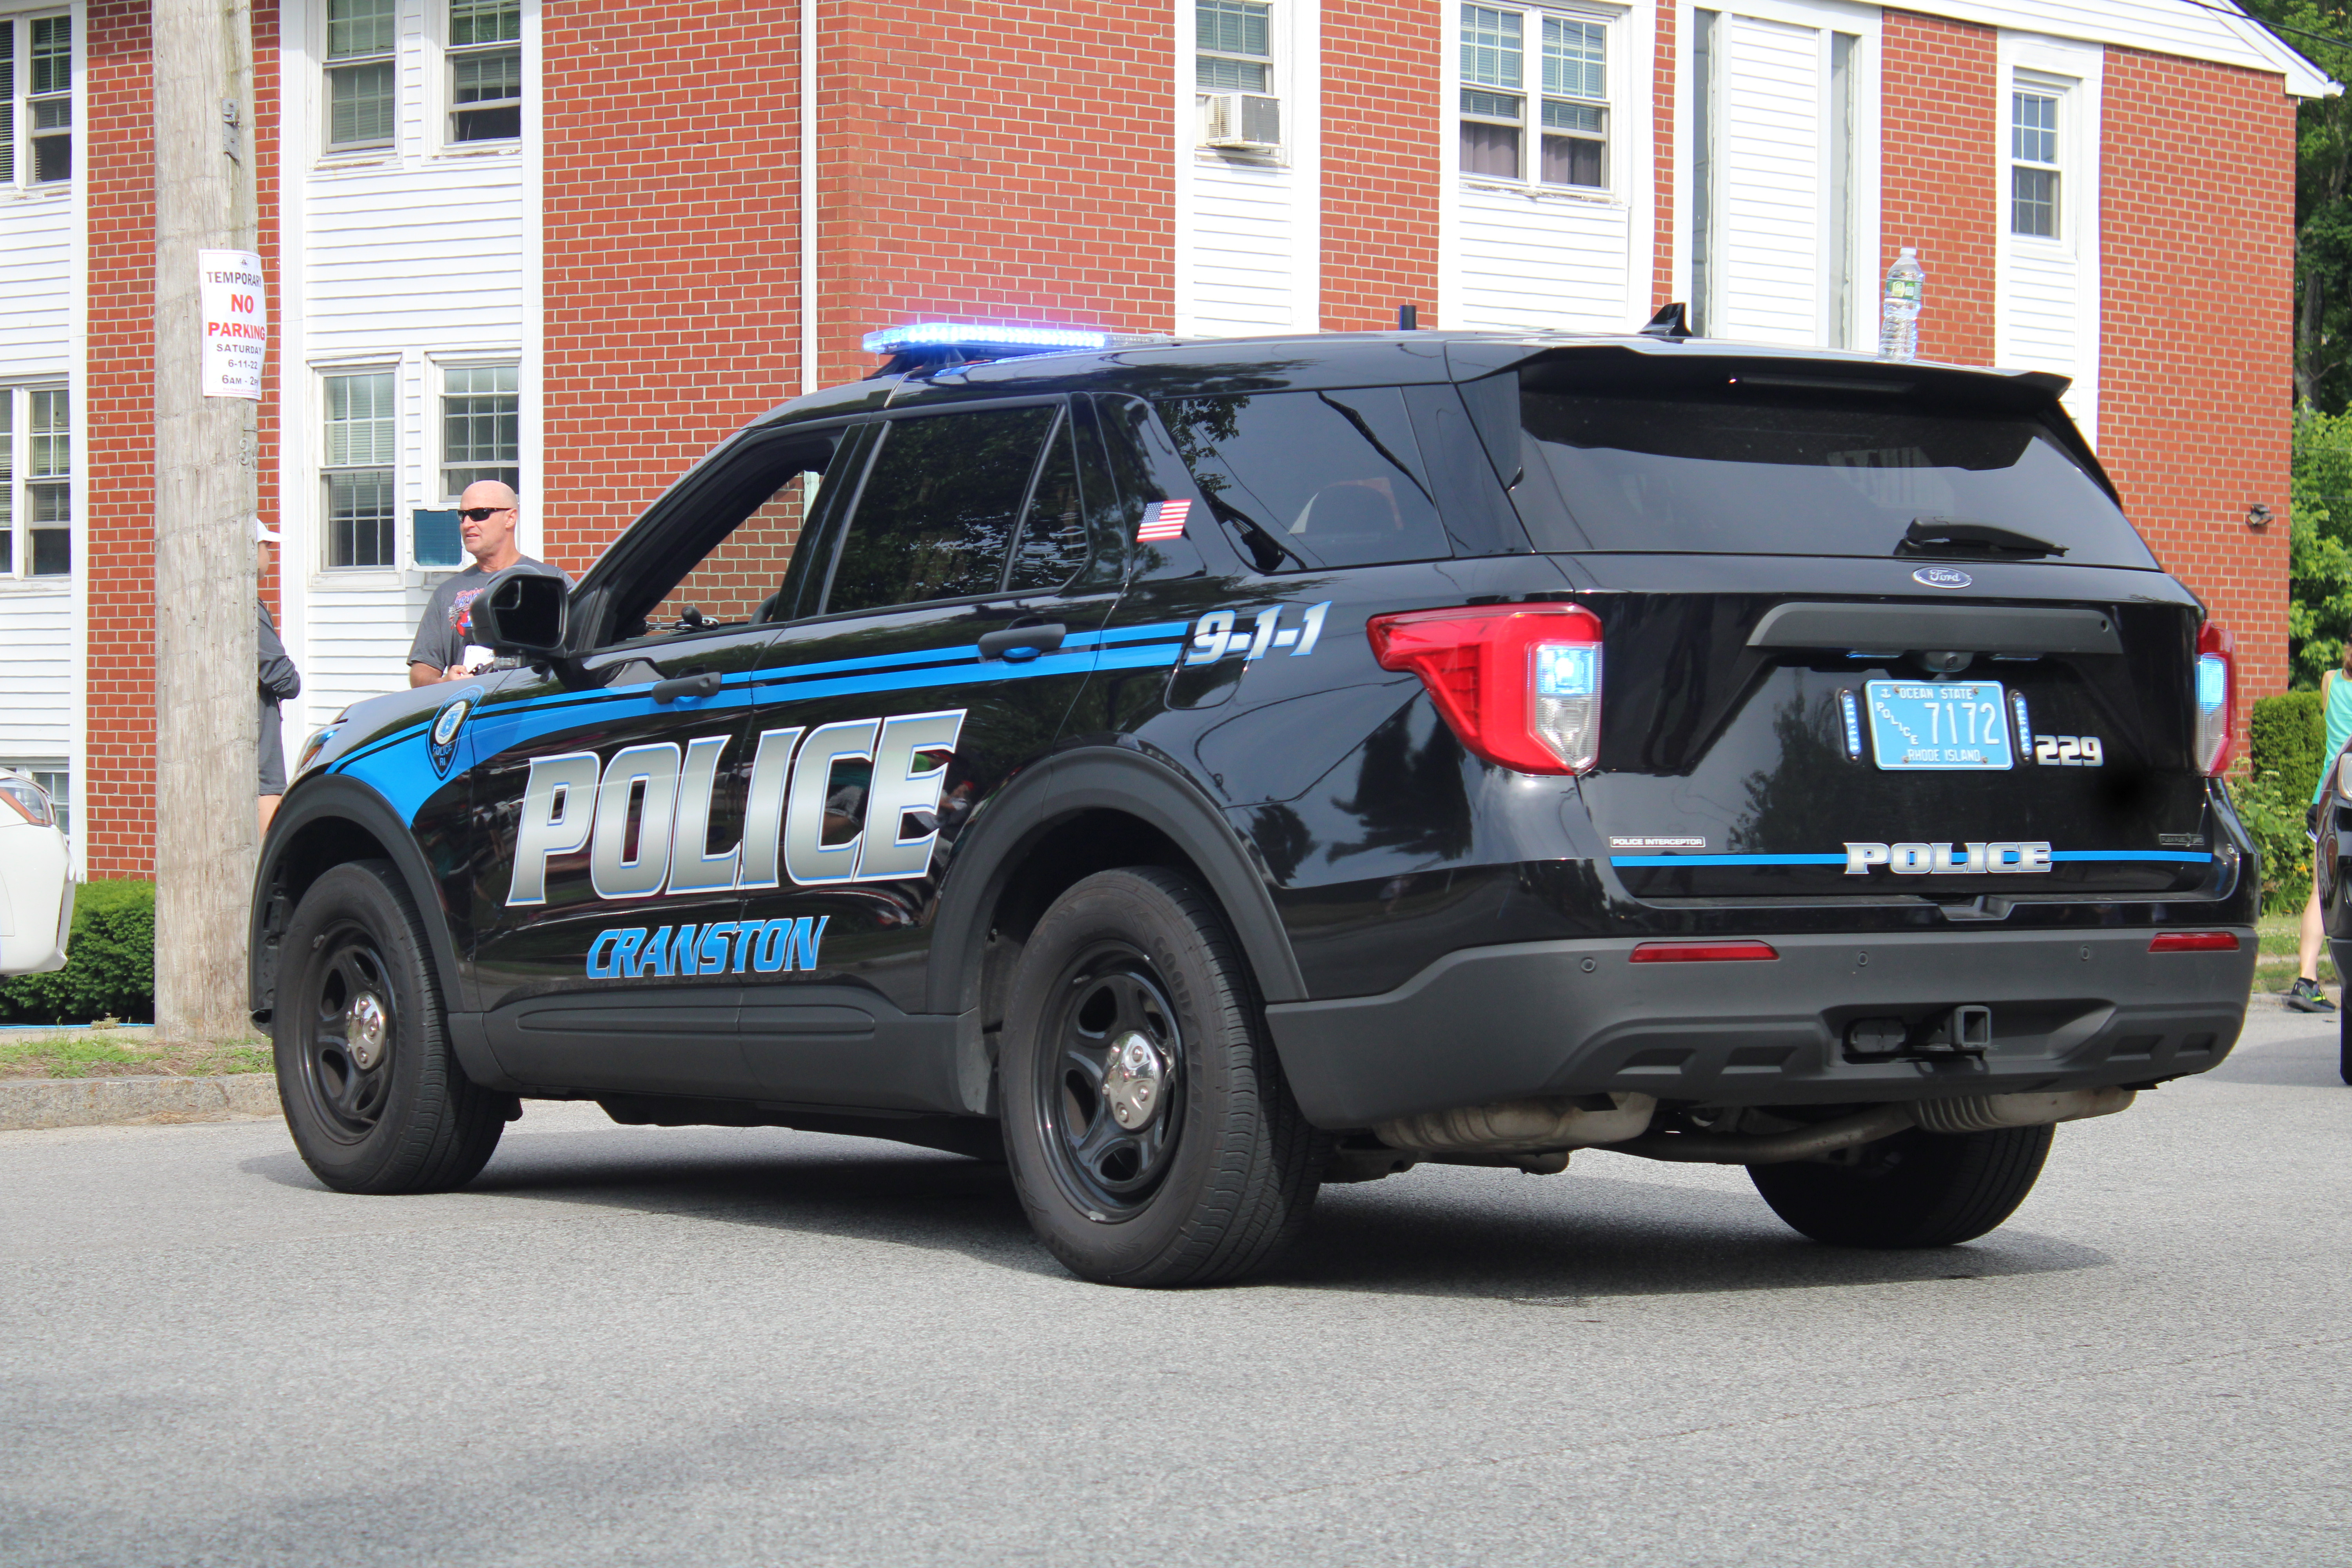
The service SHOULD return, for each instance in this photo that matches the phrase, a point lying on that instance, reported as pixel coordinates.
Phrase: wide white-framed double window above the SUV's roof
(1563, 140)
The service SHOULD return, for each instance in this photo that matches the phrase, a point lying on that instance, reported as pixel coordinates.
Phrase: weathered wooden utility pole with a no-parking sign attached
(206, 460)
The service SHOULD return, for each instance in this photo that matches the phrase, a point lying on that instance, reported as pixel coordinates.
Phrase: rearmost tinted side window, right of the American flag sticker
(1311, 478)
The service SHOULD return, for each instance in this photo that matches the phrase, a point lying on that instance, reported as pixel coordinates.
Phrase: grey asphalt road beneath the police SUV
(636, 1346)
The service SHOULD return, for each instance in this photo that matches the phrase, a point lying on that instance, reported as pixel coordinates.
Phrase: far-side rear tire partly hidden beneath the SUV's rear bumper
(1911, 1191)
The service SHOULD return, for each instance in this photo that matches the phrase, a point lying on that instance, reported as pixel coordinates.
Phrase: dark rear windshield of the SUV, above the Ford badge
(1800, 471)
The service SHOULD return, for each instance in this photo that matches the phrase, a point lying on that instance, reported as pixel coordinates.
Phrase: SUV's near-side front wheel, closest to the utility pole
(373, 1092)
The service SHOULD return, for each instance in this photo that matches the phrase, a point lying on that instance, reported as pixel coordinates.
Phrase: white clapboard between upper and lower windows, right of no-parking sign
(422, 255)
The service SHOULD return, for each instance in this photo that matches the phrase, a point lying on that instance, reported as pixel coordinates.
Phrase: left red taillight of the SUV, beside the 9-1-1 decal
(1521, 685)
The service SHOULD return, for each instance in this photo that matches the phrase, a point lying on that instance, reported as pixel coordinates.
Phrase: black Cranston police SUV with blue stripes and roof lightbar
(1196, 772)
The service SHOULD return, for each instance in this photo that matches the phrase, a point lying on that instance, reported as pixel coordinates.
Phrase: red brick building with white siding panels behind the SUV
(577, 246)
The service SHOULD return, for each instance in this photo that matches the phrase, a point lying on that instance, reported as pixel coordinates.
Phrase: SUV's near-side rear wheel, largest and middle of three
(1215, 1170)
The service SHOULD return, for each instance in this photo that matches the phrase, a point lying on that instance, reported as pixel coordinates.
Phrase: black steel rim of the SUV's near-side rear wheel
(1104, 1005)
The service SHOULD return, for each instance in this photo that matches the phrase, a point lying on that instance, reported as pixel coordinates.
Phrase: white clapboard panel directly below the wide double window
(1539, 262)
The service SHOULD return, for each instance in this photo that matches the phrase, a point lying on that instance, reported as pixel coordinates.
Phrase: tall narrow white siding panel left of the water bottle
(1770, 286)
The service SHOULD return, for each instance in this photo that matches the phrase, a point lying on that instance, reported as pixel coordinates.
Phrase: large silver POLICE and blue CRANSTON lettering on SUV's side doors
(655, 800)
